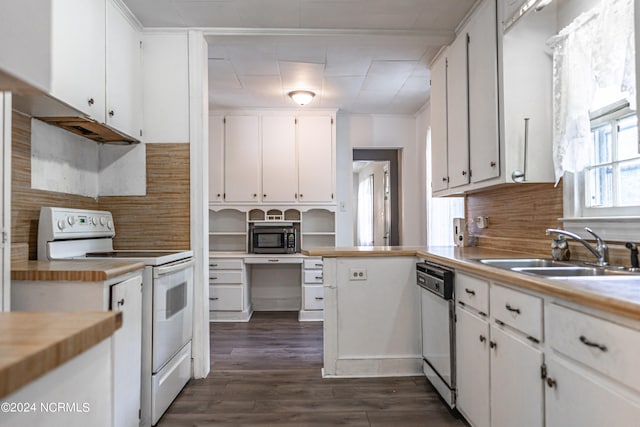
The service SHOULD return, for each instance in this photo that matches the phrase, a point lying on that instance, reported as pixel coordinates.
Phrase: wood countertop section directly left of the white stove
(73, 270)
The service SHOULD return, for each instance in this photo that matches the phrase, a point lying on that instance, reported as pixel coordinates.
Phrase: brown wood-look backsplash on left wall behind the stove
(159, 219)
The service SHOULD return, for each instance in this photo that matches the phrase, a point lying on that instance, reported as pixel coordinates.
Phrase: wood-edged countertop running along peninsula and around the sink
(606, 294)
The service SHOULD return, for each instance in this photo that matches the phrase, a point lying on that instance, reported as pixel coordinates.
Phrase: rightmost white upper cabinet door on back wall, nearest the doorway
(315, 159)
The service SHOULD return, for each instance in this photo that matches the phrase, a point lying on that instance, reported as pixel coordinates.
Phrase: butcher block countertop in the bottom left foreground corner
(34, 343)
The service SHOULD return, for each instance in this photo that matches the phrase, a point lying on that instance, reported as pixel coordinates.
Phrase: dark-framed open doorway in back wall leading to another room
(375, 197)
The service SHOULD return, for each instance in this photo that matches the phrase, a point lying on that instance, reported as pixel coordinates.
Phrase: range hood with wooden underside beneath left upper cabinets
(44, 107)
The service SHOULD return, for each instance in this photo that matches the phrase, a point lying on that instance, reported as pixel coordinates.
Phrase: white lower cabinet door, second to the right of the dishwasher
(516, 386)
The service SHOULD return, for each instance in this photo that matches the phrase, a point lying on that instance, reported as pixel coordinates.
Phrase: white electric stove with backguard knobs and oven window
(167, 298)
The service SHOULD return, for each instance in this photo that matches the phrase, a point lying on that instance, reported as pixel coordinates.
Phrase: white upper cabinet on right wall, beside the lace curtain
(492, 79)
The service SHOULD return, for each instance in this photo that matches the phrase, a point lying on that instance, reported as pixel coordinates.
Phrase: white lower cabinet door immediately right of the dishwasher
(472, 367)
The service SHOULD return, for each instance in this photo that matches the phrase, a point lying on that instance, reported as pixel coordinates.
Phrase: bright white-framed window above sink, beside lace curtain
(610, 181)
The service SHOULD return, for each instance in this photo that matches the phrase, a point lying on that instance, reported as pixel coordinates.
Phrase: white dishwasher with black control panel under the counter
(438, 328)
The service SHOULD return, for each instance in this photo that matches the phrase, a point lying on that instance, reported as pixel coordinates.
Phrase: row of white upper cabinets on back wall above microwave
(272, 158)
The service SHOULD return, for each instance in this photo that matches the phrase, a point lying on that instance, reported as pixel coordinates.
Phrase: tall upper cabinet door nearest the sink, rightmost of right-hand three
(484, 141)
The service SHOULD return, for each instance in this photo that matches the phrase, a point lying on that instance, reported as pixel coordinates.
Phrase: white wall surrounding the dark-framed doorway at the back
(381, 131)
